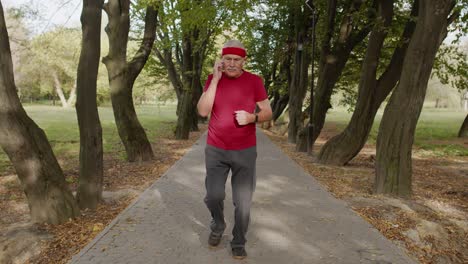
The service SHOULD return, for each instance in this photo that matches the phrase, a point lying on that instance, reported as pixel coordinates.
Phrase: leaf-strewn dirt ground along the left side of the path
(23, 242)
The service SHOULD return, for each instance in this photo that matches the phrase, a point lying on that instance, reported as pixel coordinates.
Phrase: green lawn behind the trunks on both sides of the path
(436, 132)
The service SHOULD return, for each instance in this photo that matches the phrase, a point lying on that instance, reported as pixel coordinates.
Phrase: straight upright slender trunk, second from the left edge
(89, 192)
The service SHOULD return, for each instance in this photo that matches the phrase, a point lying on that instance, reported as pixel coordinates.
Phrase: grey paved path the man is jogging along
(293, 220)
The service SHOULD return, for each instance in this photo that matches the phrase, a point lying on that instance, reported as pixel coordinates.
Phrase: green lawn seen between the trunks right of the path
(436, 132)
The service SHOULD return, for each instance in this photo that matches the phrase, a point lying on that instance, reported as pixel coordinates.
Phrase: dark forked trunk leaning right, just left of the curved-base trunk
(333, 61)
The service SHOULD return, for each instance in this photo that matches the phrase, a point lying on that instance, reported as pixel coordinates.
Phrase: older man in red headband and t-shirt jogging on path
(231, 95)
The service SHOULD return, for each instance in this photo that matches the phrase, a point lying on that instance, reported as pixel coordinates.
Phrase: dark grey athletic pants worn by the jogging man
(242, 164)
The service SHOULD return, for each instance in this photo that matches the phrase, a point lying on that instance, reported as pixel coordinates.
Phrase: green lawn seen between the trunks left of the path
(61, 128)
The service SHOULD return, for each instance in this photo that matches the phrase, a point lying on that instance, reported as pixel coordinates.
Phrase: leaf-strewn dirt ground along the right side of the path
(432, 225)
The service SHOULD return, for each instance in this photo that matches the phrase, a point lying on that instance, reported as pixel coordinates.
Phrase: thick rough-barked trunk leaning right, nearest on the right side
(393, 166)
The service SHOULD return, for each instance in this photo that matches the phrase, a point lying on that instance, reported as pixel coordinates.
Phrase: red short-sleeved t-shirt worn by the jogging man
(232, 94)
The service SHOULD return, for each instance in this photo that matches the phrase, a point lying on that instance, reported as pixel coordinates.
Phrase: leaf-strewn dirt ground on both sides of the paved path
(432, 226)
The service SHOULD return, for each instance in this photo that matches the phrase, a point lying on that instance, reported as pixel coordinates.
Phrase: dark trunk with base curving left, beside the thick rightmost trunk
(340, 149)
